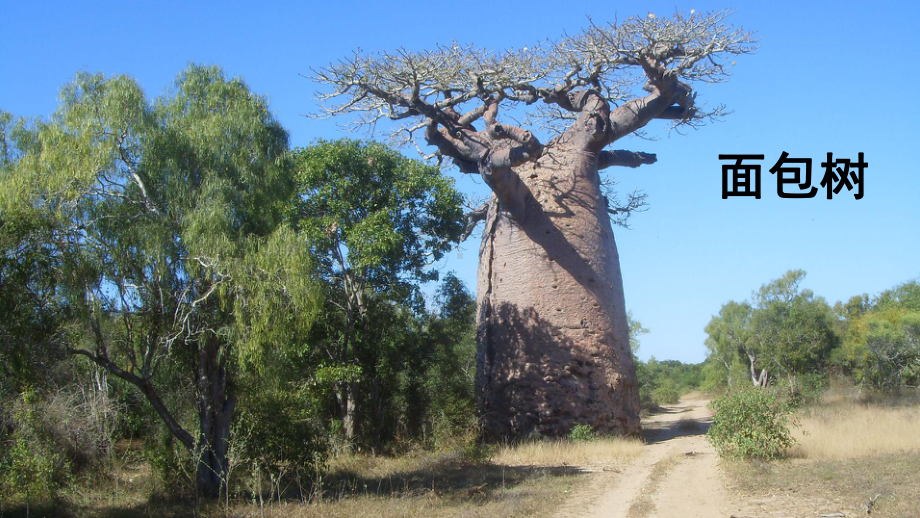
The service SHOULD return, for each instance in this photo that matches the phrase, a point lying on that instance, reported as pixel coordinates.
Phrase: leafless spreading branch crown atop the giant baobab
(442, 93)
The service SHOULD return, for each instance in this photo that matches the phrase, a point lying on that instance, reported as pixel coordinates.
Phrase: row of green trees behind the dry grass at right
(788, 336)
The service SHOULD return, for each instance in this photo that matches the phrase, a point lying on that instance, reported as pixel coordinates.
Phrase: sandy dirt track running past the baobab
(677, 475)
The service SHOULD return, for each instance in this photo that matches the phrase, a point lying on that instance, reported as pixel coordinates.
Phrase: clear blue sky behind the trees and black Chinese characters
(829, 76)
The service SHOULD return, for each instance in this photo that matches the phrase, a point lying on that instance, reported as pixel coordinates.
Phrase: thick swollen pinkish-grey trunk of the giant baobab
(553, 344)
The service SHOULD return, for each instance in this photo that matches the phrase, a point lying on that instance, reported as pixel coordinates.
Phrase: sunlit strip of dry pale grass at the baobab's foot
(605, 452)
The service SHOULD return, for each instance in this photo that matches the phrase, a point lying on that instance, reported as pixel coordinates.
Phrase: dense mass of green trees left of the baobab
(173, 272)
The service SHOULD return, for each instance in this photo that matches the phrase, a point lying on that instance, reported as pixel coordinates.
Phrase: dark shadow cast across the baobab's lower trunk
(536, 381)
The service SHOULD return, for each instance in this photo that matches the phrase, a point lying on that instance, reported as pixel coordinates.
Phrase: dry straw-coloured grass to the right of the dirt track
(848, 452)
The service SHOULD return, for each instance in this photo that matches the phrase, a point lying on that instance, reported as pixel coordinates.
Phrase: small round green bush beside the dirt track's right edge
(750, 423)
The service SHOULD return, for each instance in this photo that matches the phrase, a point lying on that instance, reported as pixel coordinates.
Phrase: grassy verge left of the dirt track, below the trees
(527, 479)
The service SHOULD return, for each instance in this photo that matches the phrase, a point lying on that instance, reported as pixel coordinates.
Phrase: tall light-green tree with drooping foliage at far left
(166, 220)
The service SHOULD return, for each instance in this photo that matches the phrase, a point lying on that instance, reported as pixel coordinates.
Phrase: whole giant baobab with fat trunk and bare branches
(553, 346)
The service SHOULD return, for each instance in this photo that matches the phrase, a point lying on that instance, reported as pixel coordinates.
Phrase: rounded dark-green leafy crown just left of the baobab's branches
(388, 215)
